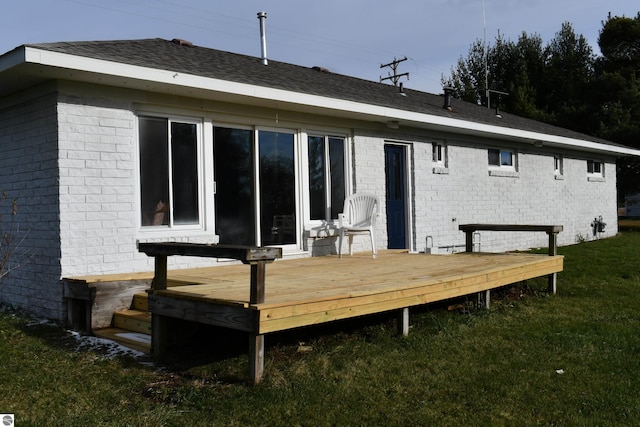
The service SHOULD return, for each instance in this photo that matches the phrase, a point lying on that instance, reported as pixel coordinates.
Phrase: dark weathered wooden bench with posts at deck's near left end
(256, 257)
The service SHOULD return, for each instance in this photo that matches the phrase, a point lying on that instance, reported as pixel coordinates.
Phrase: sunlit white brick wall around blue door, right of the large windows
(465, 192)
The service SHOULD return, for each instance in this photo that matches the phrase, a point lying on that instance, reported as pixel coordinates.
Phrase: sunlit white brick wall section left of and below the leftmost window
(99, 205)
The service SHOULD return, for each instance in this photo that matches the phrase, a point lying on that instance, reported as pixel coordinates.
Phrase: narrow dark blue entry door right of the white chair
(395, 172)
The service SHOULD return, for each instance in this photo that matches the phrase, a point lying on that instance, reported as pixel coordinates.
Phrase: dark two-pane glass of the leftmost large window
(169, 170)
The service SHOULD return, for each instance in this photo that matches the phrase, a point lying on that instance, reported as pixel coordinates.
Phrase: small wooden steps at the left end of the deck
(131, 327)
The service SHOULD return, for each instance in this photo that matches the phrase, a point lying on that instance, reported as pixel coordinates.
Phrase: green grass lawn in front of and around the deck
(532, 359)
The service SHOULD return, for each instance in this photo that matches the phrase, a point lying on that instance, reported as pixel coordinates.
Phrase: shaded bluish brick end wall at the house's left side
(29, 173)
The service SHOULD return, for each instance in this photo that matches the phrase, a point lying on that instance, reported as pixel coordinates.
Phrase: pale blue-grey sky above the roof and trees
(351, 37)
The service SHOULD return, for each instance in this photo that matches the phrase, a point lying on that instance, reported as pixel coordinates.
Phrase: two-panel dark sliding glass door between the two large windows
(255, 187)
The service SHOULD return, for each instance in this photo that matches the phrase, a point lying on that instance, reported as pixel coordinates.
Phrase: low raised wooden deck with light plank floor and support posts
(311, 291)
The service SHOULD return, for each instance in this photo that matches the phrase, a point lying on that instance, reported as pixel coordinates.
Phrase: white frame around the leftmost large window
(171, 229)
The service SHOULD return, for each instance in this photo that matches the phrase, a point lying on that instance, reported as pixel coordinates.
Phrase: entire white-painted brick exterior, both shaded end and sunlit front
(71, 160)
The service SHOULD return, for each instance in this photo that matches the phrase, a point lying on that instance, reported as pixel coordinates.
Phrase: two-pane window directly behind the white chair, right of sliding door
(326, 159)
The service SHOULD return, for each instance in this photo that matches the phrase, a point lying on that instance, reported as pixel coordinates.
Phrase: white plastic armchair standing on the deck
(358, 217)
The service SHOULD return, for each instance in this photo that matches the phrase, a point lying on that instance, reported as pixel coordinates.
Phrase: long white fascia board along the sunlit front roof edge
(373, 112)
